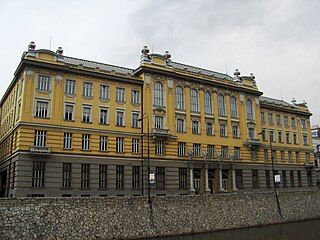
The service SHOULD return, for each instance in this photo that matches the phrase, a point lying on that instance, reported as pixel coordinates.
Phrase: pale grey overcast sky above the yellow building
(279, 41)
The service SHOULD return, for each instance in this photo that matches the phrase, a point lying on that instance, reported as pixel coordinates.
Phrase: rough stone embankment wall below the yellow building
(129, 218)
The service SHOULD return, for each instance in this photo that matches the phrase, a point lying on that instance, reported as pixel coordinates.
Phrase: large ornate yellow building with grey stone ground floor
(72, 127)
